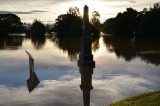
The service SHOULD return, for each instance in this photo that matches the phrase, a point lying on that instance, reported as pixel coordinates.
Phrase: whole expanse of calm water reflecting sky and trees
(122, 69)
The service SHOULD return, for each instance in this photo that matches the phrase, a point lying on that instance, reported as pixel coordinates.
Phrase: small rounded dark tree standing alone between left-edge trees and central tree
(38, 28)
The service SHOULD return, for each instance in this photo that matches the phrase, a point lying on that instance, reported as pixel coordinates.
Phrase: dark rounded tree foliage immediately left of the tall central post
(68, 25)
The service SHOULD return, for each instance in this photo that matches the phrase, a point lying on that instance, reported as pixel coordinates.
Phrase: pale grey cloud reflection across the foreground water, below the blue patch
(59, 93)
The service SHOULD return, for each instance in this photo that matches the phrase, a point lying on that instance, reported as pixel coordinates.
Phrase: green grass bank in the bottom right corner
(145, 99)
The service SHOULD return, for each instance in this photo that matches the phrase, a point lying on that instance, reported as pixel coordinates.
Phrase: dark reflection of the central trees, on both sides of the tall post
(71, 45)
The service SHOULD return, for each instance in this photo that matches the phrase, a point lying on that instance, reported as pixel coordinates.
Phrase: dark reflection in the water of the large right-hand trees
(147, 49)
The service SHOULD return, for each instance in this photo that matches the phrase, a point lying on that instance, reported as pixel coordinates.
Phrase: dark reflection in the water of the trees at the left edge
(11, 42)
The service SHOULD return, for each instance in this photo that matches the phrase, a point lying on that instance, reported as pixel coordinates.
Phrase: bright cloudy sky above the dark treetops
(48, 10)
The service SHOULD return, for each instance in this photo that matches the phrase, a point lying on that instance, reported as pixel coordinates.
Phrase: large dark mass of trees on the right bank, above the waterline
(133, 23)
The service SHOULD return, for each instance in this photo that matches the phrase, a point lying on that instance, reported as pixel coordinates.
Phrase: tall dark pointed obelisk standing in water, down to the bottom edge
(85, 62)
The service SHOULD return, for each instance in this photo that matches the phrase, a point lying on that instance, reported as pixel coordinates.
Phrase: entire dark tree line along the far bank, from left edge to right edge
(127, 24)
